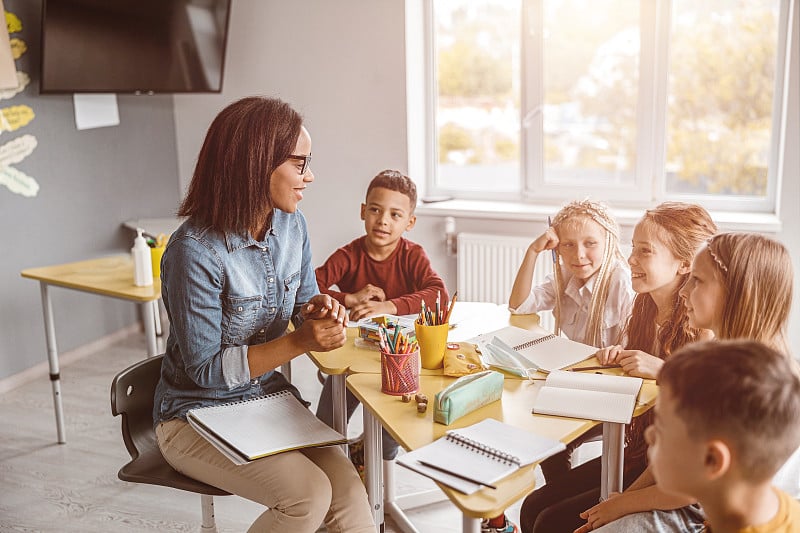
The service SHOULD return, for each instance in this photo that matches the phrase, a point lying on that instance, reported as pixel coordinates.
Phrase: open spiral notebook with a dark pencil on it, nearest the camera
(479, 455)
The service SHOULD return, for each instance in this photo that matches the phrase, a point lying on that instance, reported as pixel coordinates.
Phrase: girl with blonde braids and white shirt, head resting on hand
(590, 291)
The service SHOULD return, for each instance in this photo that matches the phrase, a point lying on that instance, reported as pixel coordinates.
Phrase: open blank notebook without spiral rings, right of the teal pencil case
(590, 396)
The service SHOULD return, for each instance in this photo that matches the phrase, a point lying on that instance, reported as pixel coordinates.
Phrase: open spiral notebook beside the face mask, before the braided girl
(538, 349)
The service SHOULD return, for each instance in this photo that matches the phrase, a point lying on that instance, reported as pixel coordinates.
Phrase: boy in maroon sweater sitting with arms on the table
(380, 272)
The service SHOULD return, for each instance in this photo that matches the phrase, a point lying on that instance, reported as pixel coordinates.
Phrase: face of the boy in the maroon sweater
(386, 215)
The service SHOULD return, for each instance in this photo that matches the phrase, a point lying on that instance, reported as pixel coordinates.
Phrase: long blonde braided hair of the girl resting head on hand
(578, 212)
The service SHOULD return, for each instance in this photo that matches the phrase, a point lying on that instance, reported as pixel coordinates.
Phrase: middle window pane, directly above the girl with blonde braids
(591, 76)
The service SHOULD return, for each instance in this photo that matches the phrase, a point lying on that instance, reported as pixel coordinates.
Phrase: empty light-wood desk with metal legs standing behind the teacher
(107, 276)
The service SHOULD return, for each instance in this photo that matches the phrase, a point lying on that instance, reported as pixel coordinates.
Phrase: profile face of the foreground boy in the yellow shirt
(676, 459)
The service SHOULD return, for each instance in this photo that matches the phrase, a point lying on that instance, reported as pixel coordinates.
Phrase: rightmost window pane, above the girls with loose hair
(721, 84)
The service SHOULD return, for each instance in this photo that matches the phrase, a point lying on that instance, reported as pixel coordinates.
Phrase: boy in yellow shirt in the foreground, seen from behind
(727, 417)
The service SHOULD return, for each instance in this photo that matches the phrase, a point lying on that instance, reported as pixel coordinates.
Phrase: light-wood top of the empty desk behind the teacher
(108, 276)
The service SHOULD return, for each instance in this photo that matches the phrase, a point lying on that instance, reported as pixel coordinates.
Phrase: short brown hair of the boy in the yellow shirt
(743, 393)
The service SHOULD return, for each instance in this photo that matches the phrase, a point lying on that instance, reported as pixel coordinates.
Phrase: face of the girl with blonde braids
(581, 245)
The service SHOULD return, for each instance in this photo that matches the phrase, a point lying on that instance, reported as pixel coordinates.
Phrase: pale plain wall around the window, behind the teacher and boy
(342, 64)
